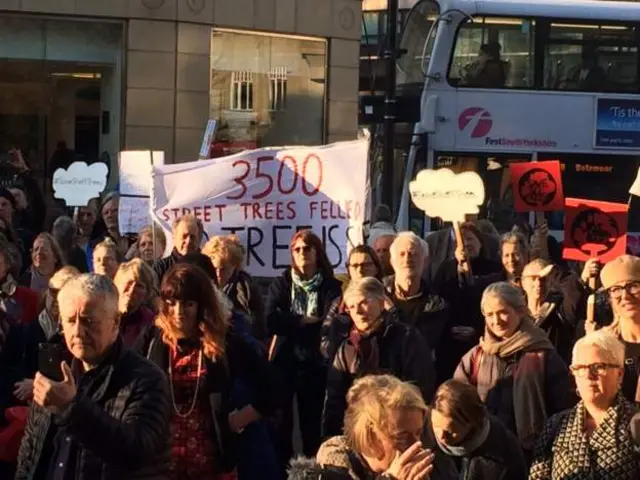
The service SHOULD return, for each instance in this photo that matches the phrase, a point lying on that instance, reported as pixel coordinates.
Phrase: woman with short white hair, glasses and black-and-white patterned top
(593, 439)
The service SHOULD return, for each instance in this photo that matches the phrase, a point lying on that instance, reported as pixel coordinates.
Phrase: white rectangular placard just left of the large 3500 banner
(135, 188)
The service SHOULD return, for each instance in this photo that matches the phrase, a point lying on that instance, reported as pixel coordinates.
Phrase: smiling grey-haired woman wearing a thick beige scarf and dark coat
(517, 372)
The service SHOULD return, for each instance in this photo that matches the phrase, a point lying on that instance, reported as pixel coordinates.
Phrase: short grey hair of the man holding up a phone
(91, 287)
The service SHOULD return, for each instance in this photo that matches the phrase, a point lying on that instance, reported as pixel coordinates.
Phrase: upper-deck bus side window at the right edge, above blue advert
(592, 58)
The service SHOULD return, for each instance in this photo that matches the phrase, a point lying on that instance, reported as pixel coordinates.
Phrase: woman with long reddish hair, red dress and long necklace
(191, 341)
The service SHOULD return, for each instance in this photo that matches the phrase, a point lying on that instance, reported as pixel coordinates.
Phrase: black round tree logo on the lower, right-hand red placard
(594, 232)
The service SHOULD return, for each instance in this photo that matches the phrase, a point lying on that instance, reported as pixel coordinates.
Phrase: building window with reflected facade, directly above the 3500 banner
(266, 90)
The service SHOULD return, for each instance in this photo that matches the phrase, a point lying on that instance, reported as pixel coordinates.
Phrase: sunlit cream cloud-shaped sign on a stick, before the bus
(442, 193)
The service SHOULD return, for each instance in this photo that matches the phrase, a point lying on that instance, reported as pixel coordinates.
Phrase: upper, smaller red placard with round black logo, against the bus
(537, 186)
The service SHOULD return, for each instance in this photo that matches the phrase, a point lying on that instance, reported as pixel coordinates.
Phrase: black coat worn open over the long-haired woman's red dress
(241, 362)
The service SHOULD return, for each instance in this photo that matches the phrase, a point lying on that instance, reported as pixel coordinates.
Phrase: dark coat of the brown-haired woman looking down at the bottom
(498, 458)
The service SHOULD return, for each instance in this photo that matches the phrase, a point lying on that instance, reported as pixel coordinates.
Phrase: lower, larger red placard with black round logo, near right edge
(594, 230)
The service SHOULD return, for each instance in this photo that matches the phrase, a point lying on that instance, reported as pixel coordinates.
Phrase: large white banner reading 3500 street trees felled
(264, 196)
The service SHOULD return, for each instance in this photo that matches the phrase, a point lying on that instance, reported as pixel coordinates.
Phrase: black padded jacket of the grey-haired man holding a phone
(120, 424)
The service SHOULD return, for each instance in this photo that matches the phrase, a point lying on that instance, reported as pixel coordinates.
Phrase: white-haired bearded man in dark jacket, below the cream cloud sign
(409, 291)
